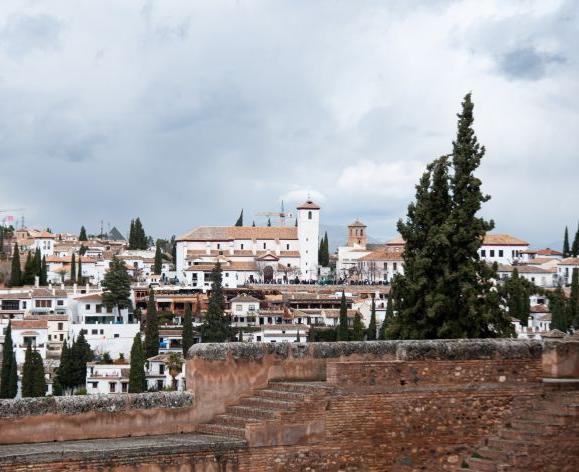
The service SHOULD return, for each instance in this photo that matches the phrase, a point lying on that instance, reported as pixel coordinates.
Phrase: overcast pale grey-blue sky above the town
(183, 112)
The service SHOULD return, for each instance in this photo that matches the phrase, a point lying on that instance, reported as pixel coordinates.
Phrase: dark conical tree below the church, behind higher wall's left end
(216, 327)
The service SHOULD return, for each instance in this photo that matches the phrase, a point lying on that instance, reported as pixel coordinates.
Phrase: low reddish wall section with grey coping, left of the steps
(31, 420)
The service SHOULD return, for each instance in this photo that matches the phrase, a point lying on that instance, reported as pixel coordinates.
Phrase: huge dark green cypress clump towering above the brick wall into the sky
(447, 291)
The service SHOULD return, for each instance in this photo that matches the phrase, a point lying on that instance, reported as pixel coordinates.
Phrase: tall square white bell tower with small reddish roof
(308, 236)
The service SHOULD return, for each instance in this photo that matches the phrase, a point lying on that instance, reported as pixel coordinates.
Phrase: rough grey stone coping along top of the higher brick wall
(440, 349)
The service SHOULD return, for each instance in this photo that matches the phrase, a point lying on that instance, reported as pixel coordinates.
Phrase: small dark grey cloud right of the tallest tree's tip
(527, 63)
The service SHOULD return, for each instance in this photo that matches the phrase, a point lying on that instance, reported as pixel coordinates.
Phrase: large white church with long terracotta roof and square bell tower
(250, 254)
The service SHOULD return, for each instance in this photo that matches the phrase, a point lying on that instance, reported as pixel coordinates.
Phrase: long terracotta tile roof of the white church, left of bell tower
(230, 233)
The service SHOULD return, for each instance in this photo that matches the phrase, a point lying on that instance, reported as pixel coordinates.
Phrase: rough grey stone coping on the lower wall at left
(109, 403)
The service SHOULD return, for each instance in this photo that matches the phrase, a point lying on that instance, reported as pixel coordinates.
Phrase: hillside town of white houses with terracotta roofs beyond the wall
(278, 283)
